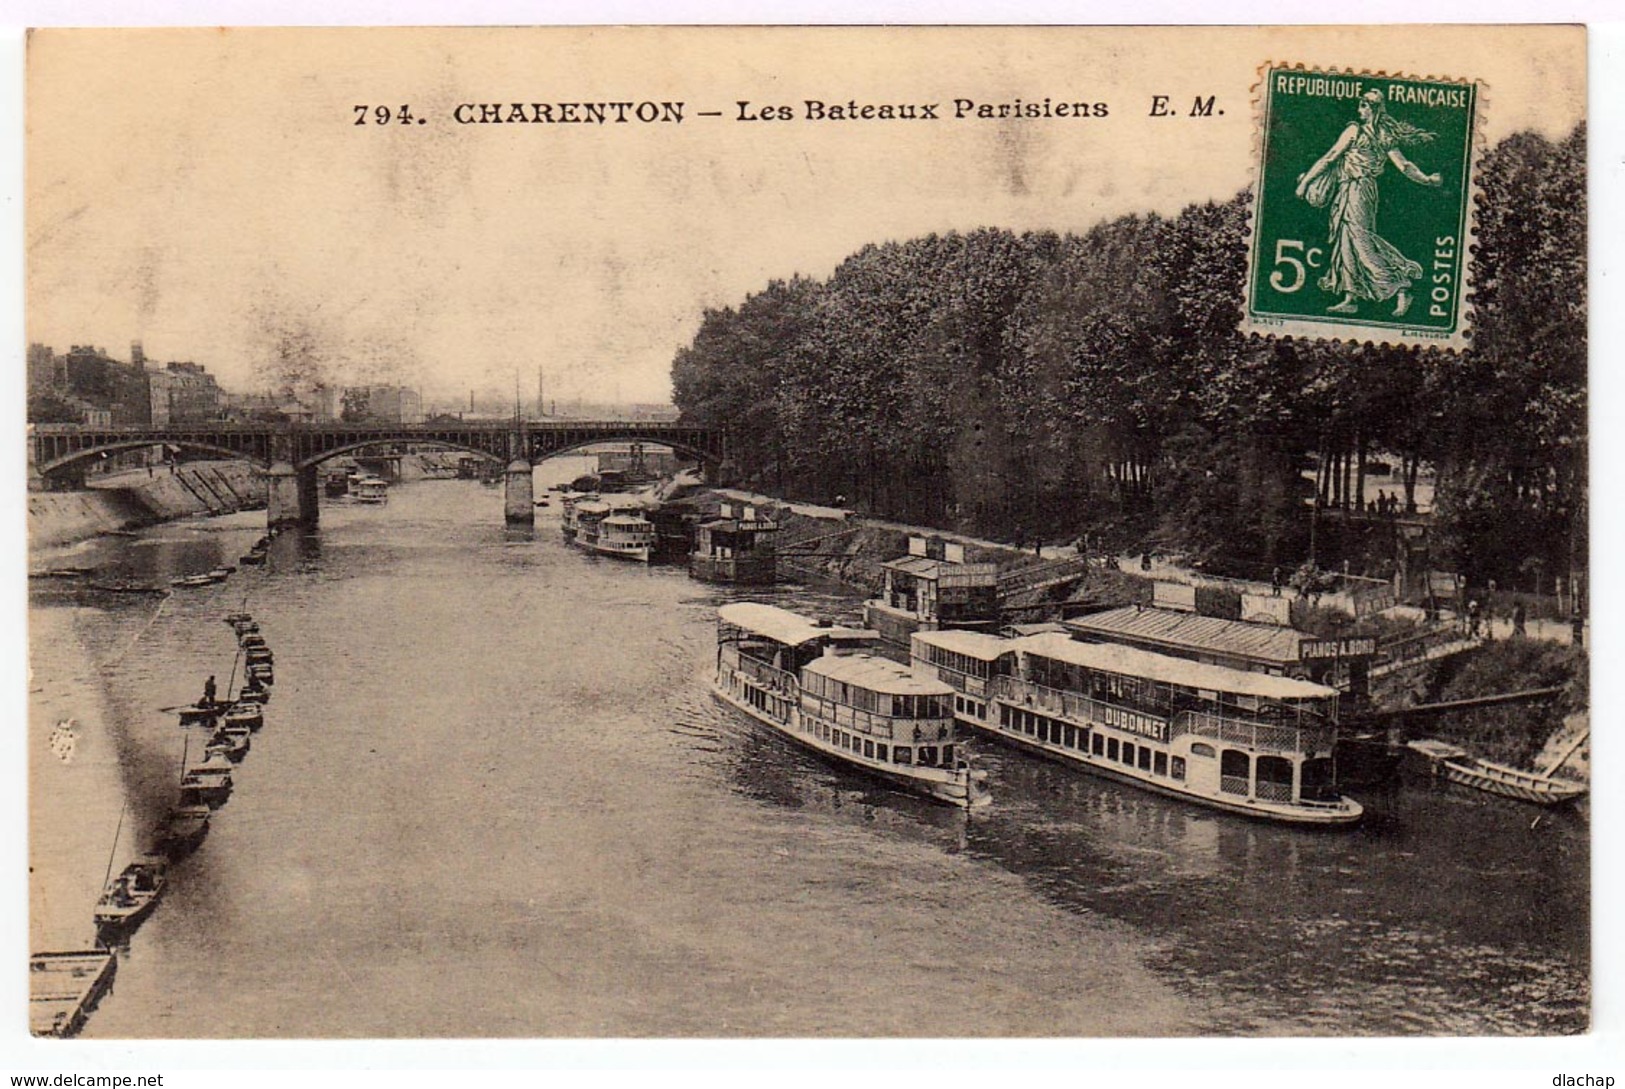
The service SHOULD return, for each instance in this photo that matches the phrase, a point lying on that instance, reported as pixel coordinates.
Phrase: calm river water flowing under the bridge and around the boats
(493, 797)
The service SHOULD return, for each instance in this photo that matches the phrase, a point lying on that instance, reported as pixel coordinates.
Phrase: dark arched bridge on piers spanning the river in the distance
(290, 454)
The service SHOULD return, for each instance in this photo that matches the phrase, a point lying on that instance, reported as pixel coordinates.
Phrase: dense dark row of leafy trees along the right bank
(1042, 384)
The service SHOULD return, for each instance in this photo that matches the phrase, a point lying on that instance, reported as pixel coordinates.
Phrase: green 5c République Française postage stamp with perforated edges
(1363, 210)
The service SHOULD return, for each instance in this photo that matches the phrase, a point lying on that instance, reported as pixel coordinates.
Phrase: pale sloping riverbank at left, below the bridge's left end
(137, 500)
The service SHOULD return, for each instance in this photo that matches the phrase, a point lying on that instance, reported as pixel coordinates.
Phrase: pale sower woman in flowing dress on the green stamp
(1363, 264)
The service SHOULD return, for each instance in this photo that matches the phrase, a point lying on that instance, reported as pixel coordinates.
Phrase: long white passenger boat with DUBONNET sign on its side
(1233, 740)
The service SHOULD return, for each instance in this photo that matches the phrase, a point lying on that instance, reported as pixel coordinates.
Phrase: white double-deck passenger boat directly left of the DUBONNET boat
(818, 685)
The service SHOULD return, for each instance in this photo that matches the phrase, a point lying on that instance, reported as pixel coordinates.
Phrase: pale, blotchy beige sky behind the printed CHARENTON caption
(209, 193)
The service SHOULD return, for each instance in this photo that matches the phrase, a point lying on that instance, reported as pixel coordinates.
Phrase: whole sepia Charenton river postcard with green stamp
(808, 532)
